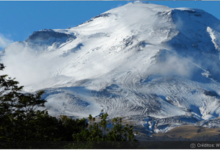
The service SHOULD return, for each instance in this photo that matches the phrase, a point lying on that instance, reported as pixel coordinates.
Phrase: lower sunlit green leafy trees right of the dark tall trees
(98, 136)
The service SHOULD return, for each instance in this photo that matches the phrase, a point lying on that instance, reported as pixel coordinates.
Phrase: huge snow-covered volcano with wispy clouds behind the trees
(149, 61)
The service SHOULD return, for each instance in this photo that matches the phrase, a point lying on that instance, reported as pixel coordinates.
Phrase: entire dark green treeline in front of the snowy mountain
(24, 121)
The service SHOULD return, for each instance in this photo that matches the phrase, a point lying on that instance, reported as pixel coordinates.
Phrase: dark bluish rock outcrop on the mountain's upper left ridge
(46, 34)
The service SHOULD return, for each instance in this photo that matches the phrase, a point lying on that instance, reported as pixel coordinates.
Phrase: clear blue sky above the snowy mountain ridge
(19, 19)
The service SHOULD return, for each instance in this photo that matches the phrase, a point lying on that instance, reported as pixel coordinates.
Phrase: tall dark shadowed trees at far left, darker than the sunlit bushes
(24, 119)
